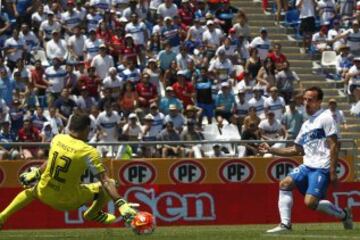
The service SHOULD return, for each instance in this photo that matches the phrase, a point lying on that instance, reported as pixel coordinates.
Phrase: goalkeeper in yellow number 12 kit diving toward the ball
(59, 183)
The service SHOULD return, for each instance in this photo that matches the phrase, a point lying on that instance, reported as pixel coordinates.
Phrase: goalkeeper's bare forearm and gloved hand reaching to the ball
(125, 208)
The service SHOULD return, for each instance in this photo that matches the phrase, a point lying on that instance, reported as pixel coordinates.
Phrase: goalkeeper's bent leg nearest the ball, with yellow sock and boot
(100, 199)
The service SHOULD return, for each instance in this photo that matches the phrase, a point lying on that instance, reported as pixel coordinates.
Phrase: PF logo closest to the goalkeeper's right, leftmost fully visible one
(137, 173)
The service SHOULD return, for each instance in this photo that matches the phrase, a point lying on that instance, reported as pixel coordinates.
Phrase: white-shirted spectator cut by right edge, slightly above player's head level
(352, 79)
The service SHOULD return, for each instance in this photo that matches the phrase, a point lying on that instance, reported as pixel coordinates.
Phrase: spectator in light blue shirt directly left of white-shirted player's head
(292, 120)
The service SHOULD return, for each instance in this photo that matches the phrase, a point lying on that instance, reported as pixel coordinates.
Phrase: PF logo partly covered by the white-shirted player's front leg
(280, 168)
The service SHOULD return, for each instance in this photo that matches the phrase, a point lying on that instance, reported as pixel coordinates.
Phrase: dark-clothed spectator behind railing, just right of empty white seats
(251, 132)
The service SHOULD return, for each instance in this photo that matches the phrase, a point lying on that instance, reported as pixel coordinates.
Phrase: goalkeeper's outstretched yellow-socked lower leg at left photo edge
(20, 201)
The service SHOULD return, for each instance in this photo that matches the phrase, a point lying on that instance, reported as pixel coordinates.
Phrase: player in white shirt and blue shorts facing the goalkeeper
(317, 142)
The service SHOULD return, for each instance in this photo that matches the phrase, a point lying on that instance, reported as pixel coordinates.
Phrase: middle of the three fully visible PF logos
(187, 172)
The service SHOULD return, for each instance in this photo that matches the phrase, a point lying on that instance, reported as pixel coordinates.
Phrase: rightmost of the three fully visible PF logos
(236, 171)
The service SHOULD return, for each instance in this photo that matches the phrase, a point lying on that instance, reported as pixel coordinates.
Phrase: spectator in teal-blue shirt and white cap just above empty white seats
(225, 103)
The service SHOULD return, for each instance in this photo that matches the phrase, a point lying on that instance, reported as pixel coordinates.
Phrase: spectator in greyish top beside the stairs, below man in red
(285, 80)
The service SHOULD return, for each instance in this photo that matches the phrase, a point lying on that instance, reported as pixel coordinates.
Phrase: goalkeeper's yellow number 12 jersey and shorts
(60, 184)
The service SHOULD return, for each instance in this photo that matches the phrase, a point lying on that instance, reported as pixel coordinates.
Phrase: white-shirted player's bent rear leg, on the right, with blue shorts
(318, 183)
